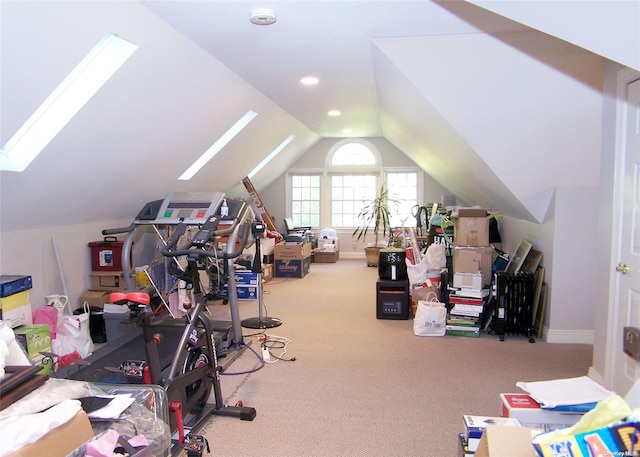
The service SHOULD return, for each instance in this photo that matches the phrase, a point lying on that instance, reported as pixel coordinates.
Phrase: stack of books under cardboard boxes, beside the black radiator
(465, 311)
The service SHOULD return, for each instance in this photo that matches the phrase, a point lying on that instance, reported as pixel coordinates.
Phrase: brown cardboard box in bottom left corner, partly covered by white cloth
(62, 440)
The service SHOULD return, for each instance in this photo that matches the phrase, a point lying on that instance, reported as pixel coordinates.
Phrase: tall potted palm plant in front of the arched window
(374, 217)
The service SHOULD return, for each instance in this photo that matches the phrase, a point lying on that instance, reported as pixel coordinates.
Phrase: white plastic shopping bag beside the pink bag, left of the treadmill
(72, 334)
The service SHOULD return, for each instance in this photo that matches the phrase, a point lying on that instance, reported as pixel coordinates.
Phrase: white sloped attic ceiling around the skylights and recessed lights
(496, 112)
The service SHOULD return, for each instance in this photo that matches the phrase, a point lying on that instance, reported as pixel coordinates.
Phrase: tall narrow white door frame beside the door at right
(614, 339)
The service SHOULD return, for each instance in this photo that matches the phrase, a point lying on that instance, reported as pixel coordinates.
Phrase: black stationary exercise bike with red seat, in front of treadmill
(194, 371)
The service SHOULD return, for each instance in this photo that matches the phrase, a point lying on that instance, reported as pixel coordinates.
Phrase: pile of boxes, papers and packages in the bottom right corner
(564, 417)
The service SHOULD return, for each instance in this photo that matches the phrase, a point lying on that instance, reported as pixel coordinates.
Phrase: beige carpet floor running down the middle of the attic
(361, 386)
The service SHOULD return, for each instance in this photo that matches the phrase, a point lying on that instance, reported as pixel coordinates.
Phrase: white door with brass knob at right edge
(627, 370)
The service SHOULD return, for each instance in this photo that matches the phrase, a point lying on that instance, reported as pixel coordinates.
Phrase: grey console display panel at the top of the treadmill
(188, 207)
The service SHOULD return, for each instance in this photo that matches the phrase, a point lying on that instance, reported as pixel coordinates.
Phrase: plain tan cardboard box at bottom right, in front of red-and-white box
(498, 441)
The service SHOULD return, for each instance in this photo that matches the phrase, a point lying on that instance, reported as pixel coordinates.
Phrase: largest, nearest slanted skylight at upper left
(65, 101)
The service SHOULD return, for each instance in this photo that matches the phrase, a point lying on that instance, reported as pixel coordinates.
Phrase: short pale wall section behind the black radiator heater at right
(568, 243)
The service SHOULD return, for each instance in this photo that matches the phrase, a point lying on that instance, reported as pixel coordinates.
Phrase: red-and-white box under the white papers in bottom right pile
(528, 411)
